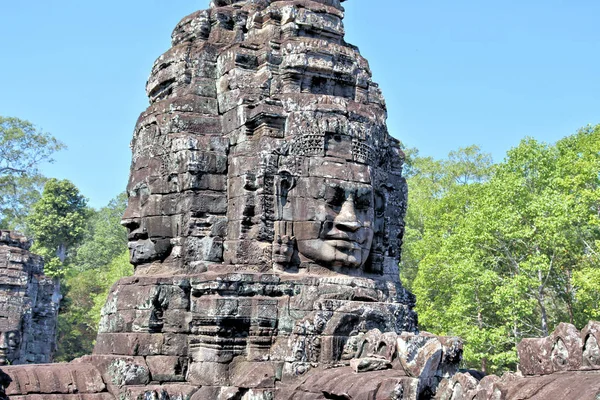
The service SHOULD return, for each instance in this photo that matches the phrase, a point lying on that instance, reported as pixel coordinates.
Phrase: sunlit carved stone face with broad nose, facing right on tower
(333, 221)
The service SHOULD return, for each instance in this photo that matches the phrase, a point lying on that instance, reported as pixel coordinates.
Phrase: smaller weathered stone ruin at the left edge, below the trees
(28, 304)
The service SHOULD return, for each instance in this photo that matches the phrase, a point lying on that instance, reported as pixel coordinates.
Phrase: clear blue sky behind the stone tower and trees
(454, 73)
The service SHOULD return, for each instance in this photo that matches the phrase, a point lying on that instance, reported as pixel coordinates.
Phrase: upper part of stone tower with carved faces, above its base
(264, 149)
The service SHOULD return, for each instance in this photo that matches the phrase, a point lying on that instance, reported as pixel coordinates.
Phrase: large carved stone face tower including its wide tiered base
(265, 218)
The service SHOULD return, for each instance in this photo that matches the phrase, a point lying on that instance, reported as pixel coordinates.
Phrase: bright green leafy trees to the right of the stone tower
(496, 253)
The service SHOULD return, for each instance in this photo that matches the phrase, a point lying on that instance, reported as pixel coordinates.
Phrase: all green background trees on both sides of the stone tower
(493, 252)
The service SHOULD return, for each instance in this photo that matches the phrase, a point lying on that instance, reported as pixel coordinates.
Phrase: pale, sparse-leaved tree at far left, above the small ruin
(23, 148)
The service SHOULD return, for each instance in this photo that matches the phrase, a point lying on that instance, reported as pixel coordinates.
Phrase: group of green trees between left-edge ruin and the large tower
(83, 248)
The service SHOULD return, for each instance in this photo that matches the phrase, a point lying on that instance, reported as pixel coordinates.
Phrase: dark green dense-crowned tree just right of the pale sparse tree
(57, 222)
